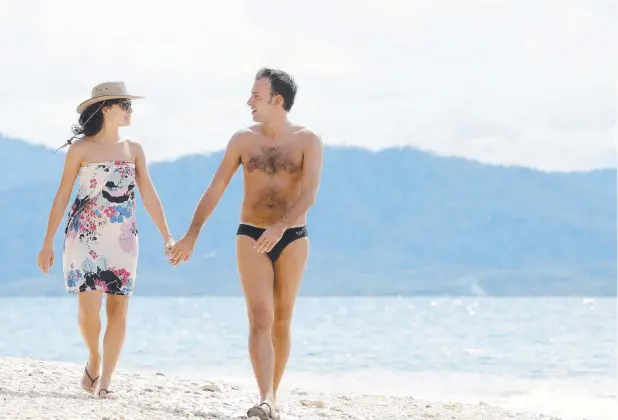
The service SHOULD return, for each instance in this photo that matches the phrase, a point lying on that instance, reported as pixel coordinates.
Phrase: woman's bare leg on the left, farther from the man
(89, 320)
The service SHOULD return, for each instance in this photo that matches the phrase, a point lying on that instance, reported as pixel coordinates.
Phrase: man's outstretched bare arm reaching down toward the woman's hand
(226, 170)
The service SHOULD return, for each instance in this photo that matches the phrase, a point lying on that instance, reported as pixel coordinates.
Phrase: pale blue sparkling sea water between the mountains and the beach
(554, 355)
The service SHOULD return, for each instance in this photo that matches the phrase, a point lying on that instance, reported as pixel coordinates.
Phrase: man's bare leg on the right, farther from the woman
(289, 269)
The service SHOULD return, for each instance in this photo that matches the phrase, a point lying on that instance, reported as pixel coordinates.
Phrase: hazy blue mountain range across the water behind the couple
(397, 221)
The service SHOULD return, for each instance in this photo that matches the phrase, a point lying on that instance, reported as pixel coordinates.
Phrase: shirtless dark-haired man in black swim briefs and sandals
(282, 166)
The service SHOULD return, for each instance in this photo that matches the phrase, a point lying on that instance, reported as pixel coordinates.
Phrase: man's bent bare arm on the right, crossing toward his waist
(312, 174)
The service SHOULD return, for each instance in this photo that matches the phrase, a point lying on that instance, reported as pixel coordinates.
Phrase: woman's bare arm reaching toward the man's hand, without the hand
(152, 203)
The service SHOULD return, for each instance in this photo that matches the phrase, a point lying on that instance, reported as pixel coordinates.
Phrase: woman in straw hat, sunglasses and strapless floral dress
(101, 236)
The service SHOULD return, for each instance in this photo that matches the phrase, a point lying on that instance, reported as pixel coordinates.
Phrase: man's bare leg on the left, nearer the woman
(257, 277)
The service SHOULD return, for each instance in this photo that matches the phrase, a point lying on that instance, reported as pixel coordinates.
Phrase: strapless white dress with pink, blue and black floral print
(101, 237)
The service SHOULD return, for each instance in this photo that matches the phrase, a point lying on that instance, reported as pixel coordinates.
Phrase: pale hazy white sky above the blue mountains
(527, 82)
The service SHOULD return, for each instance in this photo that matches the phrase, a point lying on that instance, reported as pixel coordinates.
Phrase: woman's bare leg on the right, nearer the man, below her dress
(113, 341)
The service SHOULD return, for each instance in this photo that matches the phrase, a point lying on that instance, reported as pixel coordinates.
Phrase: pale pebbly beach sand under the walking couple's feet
(32, 389)
